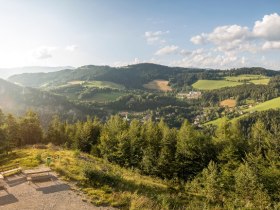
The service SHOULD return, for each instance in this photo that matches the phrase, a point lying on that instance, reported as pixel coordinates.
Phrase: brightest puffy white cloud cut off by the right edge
(268, 28)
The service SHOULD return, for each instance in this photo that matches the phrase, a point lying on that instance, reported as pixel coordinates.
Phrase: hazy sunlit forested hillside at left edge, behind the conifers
(16, 99)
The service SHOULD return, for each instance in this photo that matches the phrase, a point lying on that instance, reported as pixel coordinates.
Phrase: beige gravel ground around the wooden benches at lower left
(47, 195)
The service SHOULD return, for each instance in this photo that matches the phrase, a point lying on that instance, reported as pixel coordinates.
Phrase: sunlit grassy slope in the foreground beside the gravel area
(114, 186)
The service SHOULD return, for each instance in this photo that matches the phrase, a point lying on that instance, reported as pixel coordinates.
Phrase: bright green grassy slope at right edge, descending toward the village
(271, 104)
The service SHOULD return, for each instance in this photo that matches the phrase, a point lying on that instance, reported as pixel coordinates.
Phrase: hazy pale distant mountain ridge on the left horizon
(7, 72)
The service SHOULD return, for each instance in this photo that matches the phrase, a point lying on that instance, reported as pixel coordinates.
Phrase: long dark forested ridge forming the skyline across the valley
(132, 76)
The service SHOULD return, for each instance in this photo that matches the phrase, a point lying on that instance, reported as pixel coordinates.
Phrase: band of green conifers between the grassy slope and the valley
(233, 166)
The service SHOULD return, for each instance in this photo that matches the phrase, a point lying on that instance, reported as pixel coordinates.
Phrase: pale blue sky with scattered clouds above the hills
(219, 34)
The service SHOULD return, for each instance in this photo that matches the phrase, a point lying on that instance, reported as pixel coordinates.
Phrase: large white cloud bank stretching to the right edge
(241, 38)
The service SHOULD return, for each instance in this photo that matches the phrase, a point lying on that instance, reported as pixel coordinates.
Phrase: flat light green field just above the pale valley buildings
(214, 84)
